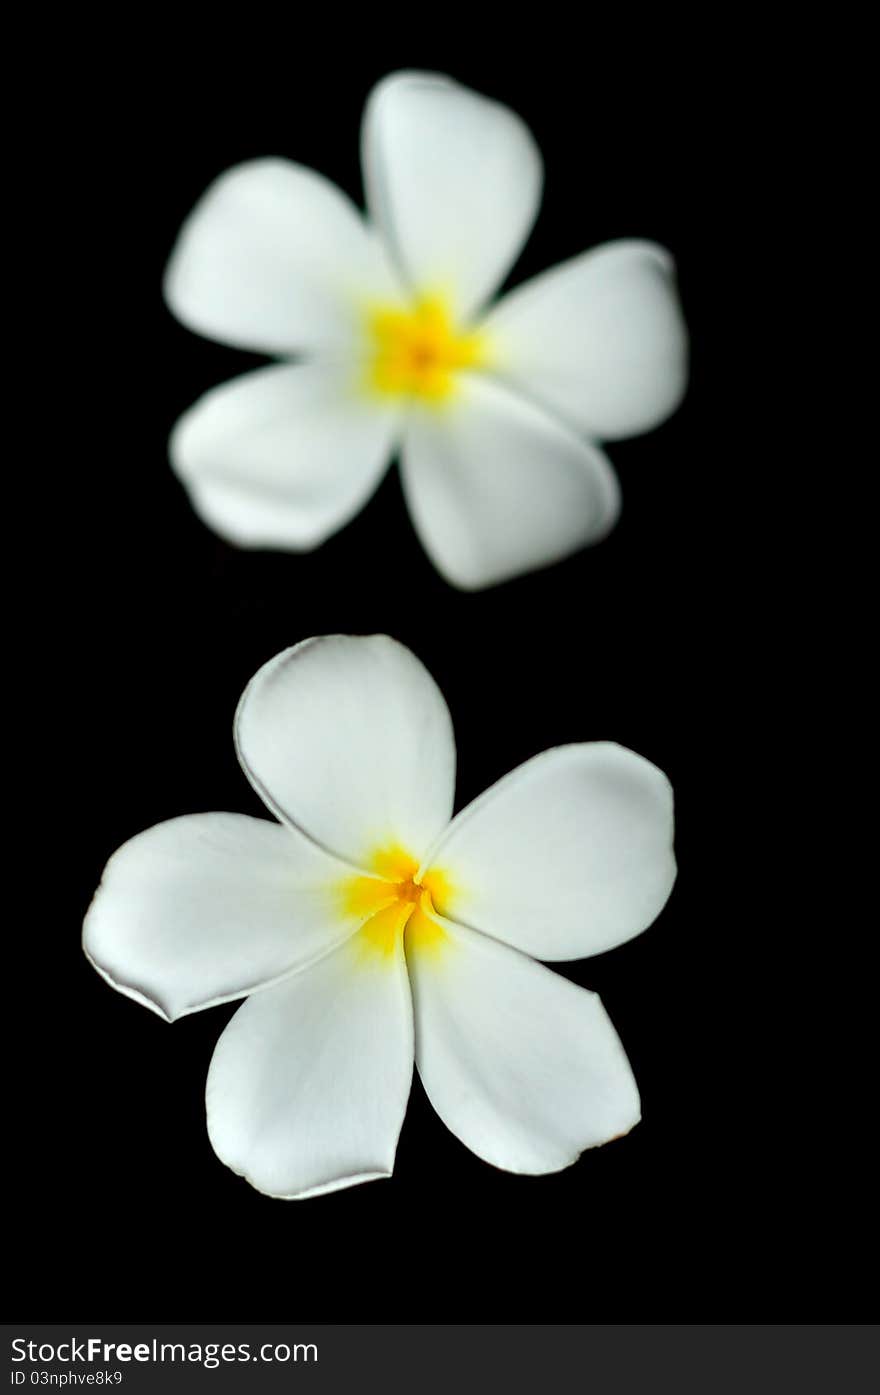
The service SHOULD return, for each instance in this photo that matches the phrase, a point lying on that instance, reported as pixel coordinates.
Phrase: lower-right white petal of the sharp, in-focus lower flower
(521, 1065)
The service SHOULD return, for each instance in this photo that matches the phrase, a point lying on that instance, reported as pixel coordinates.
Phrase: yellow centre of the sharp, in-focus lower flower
(397, 906)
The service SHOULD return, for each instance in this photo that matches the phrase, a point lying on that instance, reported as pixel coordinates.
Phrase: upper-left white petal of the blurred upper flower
(275, 259)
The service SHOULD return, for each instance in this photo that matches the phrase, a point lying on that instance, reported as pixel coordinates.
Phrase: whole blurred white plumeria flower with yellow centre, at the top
(496, 414)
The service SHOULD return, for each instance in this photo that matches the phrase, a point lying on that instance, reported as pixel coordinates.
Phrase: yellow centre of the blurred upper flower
(419, 351)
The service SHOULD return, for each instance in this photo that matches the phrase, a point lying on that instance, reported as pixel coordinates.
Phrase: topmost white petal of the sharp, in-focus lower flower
(351, 740)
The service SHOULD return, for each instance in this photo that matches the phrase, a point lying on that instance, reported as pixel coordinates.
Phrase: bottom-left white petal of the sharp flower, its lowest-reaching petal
(309, 1083)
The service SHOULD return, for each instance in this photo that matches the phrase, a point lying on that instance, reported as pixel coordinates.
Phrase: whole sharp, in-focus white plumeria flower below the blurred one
(372, 930)
